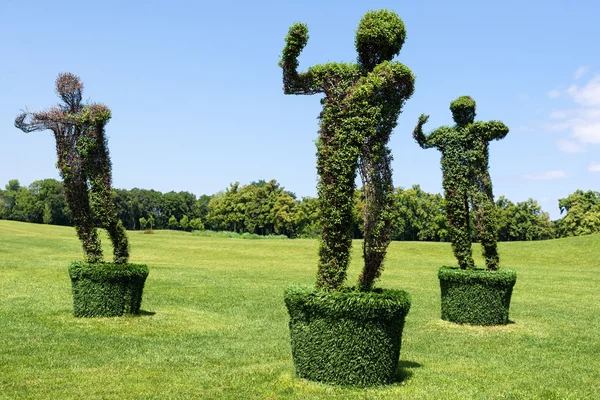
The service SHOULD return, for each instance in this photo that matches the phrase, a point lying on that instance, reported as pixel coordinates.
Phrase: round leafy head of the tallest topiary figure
(379, 37)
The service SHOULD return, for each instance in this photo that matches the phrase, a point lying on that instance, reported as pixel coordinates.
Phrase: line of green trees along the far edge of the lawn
(266, 208)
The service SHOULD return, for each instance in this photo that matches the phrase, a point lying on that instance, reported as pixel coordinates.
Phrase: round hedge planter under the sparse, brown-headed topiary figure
(107, 290)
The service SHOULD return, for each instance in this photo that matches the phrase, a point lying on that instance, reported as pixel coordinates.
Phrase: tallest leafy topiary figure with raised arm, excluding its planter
(360, 108)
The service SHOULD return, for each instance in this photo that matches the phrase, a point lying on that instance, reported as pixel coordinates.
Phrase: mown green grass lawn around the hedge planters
(214, 324)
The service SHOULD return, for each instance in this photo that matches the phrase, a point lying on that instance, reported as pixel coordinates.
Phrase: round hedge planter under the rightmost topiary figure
(476, 296)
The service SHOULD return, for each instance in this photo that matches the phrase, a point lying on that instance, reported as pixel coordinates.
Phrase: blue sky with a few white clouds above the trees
(197, 97)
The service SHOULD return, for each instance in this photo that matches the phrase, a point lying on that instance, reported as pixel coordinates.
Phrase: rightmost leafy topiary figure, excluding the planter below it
(466, 178)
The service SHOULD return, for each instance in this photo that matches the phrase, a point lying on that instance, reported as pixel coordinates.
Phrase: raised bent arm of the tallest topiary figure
(294, 82)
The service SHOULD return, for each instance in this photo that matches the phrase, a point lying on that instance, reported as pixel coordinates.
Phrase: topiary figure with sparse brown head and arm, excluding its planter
(84, 165)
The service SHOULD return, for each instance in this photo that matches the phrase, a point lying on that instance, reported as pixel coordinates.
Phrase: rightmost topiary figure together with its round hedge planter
(468, 188)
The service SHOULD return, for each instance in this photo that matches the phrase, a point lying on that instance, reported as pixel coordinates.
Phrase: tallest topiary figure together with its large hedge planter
(361, 104)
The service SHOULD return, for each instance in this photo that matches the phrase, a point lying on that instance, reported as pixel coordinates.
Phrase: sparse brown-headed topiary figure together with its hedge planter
(84, 165)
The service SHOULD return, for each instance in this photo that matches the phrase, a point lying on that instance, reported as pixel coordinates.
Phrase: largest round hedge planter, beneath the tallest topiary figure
(346, 337)
